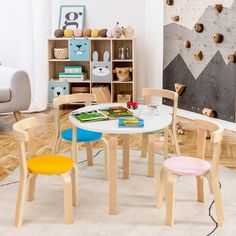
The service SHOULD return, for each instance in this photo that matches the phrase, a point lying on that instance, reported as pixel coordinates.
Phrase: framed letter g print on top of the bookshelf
(71, 17)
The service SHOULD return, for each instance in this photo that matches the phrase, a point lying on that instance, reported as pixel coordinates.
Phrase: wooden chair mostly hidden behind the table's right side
(148, 93)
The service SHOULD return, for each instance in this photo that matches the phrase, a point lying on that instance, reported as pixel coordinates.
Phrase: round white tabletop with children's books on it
(153, 120)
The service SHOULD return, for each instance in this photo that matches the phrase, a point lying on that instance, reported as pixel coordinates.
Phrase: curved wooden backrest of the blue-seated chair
(87, 98)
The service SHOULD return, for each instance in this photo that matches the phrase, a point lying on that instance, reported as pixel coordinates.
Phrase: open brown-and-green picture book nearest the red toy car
(117, 112)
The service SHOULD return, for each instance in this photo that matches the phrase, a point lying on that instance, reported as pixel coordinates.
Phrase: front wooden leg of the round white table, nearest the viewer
(112, 174)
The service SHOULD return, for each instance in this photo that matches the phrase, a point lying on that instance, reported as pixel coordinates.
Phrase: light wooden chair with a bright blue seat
(82, 135)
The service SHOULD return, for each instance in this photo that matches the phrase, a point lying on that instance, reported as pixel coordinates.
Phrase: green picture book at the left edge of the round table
(90, 116)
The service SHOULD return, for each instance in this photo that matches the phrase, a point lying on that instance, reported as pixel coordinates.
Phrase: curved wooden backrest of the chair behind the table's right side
(148, 93)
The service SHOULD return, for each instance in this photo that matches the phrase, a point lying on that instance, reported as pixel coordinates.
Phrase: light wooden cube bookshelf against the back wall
(112, 86)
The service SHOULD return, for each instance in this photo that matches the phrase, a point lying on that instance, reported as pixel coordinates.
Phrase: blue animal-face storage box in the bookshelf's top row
(79, 49)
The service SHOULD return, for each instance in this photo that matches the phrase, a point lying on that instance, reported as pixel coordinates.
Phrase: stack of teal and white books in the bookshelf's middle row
(73, 74)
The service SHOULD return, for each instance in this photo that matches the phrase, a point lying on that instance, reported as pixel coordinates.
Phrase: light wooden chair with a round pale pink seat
(189, 166)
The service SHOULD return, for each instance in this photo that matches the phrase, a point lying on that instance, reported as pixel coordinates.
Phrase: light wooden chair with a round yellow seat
(32, 165)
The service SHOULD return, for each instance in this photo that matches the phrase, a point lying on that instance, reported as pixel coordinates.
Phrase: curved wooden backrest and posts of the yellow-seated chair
(25, 134)
